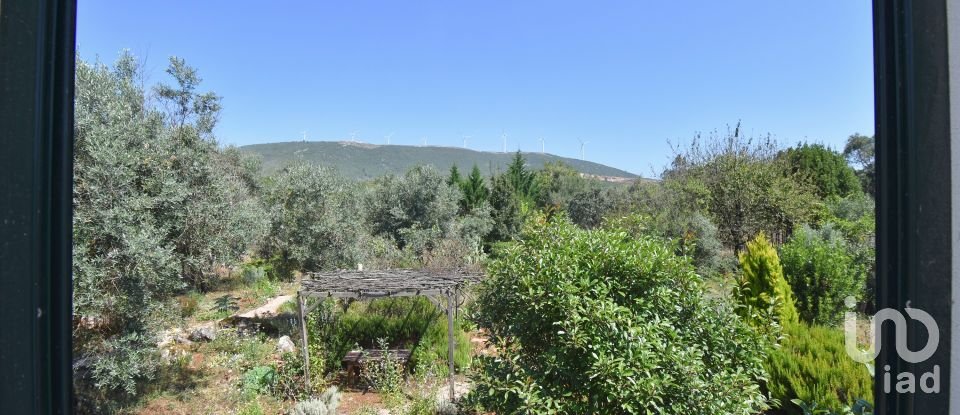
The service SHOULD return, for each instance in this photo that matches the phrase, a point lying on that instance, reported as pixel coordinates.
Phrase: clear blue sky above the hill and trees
(626, 76)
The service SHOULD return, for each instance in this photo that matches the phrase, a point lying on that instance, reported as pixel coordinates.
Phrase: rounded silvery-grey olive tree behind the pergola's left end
(315, 220)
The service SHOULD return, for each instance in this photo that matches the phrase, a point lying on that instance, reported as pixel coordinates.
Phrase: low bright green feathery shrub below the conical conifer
(812, 365)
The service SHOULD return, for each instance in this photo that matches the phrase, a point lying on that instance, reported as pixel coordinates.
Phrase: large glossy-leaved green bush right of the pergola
(599, 322)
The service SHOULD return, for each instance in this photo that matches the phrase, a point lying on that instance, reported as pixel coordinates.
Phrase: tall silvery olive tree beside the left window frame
(157, 207)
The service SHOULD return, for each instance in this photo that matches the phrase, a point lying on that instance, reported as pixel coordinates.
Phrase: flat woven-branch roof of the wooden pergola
(389, 283)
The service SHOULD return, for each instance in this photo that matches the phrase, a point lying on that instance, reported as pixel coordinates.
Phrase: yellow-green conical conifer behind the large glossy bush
(762, 286)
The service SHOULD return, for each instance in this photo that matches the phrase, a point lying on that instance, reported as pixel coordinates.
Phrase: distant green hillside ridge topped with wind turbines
(365, 161)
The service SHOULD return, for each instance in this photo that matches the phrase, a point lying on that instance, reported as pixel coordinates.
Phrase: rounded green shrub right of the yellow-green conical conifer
(823, 273)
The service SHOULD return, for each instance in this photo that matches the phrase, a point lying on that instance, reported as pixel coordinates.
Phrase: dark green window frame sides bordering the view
(37, 46)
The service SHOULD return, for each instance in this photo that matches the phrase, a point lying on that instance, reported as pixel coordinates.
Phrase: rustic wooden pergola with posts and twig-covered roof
(439, 287)
